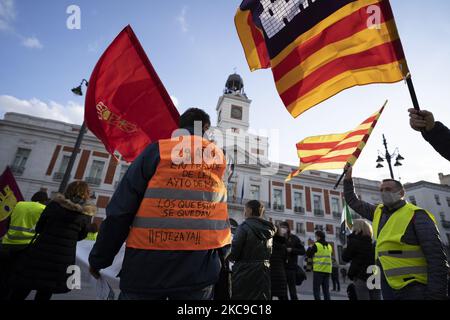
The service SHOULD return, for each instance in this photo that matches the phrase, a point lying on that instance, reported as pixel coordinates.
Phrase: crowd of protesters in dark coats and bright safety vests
(402, 246)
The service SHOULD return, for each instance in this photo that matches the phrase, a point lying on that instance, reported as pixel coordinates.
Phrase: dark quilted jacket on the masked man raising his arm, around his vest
(421, 231)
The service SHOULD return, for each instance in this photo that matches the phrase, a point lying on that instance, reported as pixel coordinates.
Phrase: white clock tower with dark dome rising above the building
(233, 107)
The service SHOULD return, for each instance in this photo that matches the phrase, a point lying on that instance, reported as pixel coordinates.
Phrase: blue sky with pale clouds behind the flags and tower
(193, 46)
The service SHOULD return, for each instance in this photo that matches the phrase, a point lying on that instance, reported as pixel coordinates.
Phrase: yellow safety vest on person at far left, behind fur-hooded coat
(23, 221)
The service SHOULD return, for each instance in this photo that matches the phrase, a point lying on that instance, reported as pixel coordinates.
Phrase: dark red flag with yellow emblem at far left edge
(9, 195)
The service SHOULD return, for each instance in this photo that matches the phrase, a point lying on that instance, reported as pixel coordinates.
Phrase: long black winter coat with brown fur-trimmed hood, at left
(44, 264)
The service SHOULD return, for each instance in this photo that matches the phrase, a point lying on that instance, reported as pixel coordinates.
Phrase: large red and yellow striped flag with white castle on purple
(317, 48)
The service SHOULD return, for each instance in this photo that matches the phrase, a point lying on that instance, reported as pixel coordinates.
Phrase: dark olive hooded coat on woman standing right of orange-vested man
(251, 250)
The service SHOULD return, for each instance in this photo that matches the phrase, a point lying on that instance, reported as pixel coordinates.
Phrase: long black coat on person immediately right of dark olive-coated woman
(278, 262)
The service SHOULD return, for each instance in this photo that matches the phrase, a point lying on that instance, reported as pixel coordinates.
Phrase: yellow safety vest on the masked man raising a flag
(402, 263)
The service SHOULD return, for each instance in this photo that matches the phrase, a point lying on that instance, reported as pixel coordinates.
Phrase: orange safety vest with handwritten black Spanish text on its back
(185, 204)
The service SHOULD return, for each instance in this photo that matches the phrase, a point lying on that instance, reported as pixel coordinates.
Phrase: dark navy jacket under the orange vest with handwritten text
(148, 271)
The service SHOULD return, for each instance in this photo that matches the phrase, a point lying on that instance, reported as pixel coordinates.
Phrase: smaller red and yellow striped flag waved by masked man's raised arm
(334, 151)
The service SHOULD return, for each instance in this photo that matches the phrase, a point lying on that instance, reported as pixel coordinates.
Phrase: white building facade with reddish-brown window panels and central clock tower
(38, 151)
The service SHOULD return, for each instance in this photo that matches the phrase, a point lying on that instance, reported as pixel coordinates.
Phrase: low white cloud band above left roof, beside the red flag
(72, 112)
